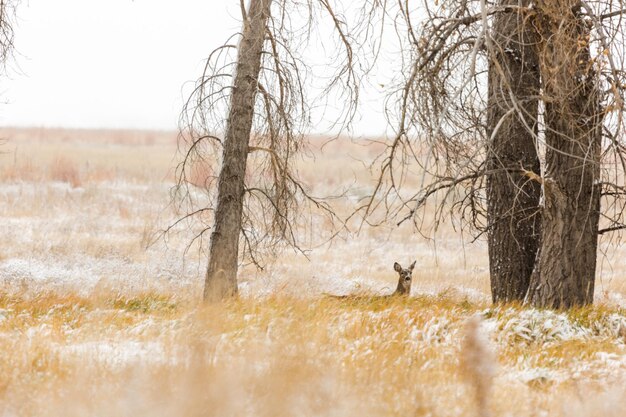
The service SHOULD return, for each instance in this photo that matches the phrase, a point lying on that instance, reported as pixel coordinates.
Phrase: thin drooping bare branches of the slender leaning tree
(276, 202)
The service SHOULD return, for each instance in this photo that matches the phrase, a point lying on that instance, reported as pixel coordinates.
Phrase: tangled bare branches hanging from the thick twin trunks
(438, 107)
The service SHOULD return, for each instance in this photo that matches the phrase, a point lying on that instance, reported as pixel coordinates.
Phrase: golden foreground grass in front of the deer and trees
(154, 355)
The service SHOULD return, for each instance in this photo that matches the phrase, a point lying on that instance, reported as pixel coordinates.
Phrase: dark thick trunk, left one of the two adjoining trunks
(512, 198)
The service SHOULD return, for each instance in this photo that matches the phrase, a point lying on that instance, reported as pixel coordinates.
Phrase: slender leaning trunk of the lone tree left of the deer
(221, 277)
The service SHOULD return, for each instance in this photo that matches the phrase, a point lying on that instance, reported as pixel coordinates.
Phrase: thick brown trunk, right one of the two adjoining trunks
(565, 272)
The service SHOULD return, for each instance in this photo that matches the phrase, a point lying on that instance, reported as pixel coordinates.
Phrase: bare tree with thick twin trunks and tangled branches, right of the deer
(501, 100)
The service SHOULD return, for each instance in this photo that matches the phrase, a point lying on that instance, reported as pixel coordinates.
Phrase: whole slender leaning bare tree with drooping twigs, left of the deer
(256, 204)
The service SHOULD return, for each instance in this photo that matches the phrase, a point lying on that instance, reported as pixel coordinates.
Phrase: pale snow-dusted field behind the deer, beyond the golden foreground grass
(83, 210)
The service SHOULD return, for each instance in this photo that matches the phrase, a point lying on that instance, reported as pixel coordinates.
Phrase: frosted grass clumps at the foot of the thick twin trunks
(537, 330)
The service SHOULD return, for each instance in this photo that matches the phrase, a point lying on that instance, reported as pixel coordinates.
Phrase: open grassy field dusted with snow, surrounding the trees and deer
(101, 316)
